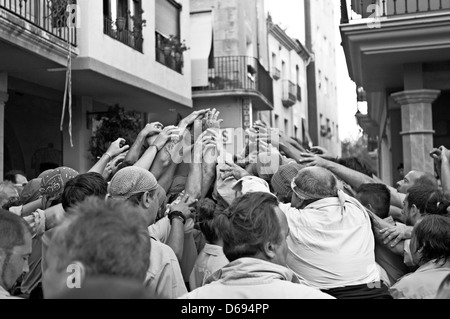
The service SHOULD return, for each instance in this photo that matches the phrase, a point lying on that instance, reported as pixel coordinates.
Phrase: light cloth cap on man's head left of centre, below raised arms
(131, 181)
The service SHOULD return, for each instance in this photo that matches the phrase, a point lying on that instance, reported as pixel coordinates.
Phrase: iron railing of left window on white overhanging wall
(119, 30)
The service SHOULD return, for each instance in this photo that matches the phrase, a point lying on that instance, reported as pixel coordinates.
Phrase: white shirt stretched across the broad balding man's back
(331, 247)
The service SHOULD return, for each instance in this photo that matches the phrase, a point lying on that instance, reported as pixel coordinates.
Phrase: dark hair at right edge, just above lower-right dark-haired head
(428, 200)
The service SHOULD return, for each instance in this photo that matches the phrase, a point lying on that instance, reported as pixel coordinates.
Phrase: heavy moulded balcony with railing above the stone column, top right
(404, 32)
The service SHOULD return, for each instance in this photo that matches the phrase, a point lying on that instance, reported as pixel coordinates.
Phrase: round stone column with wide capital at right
(417, 126)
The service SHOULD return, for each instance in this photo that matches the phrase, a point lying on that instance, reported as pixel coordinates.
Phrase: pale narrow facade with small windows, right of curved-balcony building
(288, 64)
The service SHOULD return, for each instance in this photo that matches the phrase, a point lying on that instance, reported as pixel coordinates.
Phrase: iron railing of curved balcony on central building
(239, 73)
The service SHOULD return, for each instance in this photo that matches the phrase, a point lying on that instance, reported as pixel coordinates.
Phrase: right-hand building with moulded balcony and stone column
(397, 53)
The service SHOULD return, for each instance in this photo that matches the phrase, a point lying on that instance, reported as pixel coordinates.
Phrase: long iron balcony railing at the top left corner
(44, 15)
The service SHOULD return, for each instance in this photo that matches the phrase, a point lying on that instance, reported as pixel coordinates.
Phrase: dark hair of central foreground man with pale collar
(248, 224)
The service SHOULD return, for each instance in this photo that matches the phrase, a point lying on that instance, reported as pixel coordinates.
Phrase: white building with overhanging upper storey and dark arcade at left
(120, 55)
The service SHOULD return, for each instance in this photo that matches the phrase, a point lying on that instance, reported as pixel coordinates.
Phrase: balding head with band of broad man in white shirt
(312, 184)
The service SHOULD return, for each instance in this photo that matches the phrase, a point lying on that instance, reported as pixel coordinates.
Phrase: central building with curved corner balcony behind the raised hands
(230, 60)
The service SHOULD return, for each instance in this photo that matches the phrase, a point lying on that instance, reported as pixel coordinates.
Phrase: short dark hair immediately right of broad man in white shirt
(378, 196)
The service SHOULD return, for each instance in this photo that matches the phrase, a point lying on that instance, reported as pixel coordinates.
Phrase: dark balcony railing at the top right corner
(390, 8)
